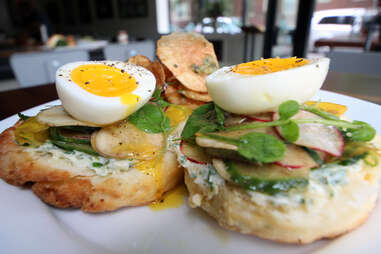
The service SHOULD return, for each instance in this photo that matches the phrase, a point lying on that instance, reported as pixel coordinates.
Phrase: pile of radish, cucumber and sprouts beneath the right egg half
(275, 152)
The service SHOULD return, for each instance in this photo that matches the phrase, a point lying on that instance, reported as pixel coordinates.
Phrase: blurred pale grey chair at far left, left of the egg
(33, 69)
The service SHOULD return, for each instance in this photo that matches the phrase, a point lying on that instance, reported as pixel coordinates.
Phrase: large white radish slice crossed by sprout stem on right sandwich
(319, 137)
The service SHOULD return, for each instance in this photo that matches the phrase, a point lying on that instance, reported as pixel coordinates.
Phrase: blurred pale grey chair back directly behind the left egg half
(121, 52)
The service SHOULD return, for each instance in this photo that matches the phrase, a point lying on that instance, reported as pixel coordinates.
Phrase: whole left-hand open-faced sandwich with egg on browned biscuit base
(104, 148)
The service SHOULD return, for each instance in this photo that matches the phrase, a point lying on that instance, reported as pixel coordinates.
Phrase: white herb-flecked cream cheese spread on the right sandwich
(325, 183)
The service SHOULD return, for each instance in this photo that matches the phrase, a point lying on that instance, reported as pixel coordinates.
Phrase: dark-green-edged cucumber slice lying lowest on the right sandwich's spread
(269, 179)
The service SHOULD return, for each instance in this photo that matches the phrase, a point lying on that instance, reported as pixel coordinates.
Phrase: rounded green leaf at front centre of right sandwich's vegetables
(261, 147)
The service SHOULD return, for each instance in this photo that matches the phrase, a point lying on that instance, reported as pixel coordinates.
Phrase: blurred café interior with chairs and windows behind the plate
(38, 36)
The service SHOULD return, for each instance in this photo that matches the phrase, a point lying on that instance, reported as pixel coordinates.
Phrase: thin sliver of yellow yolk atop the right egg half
(265, 66)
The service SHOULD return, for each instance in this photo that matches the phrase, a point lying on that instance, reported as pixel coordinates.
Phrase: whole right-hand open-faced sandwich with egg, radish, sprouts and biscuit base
(263, 160)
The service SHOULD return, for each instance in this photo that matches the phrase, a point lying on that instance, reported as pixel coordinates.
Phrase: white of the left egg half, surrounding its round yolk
(101, 110)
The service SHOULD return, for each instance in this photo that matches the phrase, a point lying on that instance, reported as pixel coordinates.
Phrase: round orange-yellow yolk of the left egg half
(104, 80)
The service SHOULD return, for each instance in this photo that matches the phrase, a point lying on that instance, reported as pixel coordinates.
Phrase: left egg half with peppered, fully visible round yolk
(103, 92)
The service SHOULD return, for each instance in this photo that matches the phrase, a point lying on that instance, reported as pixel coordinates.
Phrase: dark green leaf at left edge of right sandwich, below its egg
(203, 120)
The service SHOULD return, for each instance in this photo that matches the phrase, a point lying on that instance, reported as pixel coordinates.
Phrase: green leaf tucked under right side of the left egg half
(151, 119)
